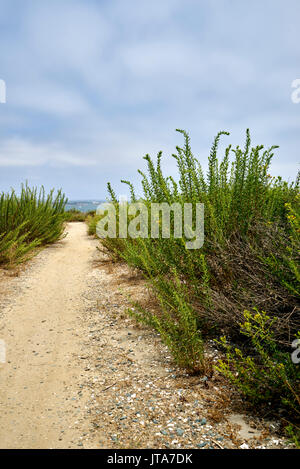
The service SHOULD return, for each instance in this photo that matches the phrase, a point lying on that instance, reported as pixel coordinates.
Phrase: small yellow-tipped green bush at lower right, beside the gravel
(268, 376)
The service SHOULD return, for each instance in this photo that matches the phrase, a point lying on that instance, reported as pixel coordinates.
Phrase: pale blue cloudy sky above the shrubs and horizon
(92, 86)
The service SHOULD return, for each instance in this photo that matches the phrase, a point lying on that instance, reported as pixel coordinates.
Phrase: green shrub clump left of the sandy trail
(27, 221)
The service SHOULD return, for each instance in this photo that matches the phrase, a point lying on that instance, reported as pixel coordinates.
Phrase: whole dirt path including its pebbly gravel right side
(80, 373)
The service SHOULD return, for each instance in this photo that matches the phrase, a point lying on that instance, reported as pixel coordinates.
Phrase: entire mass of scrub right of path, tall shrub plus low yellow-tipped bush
(250, 259)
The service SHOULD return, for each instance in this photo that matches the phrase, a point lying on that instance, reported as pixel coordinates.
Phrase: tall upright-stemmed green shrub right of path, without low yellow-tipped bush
(251, 249)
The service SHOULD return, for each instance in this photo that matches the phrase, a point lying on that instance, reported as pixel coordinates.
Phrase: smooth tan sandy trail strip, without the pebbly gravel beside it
(39, 381)
